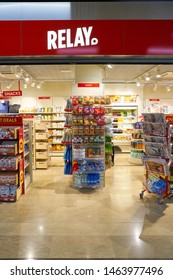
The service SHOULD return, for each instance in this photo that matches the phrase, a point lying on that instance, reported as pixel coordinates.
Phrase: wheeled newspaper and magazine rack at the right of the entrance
(157, 159)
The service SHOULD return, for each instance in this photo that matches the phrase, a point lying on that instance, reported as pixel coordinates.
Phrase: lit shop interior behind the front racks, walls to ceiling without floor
(40, 94)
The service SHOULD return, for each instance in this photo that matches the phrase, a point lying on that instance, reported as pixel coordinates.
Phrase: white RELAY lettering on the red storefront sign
(62, 38)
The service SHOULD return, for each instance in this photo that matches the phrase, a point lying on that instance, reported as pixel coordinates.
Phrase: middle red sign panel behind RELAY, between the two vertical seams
(81, 37)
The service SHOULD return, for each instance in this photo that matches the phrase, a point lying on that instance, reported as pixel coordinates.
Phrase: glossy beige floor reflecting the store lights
(55, 221)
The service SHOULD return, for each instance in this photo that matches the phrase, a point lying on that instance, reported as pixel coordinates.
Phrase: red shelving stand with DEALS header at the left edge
(12, 157)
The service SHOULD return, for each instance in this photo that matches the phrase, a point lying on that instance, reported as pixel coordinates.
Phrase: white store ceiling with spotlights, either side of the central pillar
(117, 73)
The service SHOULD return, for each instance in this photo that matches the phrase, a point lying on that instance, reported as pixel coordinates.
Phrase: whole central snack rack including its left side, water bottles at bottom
(85, 134)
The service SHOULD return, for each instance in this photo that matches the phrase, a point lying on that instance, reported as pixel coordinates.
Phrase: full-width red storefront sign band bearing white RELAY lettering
(86, 37)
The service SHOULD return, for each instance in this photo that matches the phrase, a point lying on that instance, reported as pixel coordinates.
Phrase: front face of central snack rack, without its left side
(88, 161)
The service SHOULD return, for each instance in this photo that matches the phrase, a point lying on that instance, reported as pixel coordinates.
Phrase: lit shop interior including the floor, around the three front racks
(56, 219)
